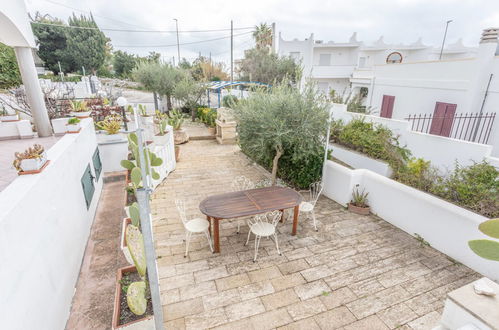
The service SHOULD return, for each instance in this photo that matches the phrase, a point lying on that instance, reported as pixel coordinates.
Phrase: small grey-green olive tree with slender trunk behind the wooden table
(283, 121)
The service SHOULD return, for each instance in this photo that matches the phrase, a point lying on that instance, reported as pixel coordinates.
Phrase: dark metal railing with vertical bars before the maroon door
(473, 127)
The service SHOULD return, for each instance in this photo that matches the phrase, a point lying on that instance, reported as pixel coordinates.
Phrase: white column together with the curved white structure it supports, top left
(15, 31)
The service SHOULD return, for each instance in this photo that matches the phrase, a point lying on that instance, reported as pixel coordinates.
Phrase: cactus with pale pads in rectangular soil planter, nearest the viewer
(132, 299)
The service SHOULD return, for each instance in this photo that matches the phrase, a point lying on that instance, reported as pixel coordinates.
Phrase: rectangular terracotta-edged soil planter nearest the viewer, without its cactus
(121, 309)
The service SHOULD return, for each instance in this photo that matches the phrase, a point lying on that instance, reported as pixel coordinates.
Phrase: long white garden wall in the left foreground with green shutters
(44, 227)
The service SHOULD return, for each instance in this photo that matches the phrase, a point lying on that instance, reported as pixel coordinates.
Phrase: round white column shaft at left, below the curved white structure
(33, 91)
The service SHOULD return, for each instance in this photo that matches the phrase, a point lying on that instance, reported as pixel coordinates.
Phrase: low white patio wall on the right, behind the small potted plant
(447, 227)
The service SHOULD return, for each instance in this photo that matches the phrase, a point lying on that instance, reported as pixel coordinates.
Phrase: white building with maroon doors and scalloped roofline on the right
(456, 97)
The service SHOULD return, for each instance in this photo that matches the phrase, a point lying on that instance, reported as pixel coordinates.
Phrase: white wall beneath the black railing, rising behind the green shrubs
(441, 151)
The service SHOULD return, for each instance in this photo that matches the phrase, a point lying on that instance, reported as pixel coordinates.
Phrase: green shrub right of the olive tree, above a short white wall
(376, 141)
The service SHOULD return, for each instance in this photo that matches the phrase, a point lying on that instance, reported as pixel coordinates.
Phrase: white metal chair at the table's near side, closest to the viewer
(264, 225)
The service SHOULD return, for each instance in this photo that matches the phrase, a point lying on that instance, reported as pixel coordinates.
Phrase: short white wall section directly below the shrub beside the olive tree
(358, 160)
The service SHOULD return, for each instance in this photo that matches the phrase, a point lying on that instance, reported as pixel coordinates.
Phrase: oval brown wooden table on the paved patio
(249, 202)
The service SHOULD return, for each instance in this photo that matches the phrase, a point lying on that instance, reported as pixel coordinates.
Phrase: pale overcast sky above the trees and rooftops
(399, 21)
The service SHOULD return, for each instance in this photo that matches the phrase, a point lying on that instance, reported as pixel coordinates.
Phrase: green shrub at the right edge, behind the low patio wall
(475, 187)
